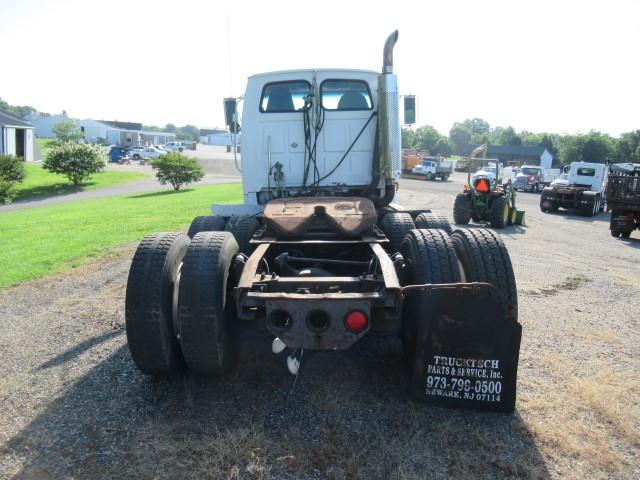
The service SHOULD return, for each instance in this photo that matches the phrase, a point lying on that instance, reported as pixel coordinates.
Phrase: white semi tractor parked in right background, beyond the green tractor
(583, 191)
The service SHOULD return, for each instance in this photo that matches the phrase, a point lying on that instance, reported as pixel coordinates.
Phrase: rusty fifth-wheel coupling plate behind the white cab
(294, 217)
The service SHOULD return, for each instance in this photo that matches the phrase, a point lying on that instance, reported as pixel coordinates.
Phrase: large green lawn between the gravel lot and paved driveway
(44, 240)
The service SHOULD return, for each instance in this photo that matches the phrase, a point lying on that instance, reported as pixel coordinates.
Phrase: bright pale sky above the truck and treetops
(540, 65)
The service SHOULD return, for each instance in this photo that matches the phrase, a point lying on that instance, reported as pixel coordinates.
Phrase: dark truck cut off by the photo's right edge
(623, 198)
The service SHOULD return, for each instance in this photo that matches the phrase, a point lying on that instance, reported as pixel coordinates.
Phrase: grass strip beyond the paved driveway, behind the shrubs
(42, 183)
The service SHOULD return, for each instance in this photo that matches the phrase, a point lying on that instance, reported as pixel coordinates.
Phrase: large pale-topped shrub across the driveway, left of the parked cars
(76, 161)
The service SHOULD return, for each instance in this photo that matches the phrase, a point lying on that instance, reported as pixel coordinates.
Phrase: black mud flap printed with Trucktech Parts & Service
(467, 353)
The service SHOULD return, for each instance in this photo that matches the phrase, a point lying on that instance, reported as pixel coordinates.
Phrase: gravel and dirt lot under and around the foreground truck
(72, 404)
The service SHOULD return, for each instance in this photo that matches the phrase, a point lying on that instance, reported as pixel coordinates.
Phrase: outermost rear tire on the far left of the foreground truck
(149, 313)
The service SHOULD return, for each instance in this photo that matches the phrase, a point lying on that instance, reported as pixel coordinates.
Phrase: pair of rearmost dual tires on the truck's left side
(178, 307)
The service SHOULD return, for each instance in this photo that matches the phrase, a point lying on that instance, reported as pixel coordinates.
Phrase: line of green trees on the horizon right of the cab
(591, 147)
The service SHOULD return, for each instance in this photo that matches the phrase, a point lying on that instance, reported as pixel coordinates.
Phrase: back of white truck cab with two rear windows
(279, 107)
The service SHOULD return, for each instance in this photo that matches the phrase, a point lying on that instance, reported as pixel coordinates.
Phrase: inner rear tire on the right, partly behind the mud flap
(430, 257)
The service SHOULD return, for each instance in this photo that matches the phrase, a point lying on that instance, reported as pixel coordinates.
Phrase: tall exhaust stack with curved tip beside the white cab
(389, 115)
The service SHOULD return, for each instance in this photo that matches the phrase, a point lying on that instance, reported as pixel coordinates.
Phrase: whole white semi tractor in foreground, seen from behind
(318, 256)
